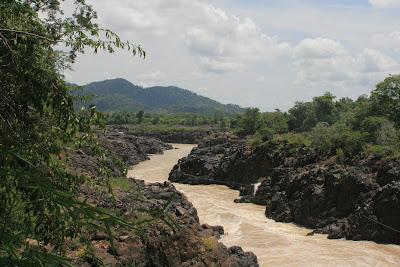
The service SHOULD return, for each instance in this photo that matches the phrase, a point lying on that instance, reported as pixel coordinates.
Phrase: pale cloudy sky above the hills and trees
(263, 53)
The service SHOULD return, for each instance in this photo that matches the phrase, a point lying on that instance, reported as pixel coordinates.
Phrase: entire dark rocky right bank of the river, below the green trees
(355, 198)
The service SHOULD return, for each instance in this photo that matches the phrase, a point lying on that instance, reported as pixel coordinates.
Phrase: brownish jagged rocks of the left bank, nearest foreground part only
(186, 243)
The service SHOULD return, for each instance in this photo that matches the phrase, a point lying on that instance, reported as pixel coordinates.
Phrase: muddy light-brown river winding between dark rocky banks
(275, 244)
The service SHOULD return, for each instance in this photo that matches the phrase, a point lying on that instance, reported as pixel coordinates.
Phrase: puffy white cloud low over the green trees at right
(326, 64)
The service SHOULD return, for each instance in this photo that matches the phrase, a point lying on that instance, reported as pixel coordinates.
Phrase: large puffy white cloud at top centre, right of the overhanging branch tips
(225, 43)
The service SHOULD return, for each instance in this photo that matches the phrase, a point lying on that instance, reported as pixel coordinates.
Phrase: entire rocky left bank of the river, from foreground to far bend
(166, 231)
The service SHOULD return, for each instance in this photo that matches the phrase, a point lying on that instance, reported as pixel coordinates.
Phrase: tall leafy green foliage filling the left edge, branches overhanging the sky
(40, 208)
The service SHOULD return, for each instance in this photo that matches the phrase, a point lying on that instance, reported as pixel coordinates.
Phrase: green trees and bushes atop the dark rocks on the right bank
(368, 125)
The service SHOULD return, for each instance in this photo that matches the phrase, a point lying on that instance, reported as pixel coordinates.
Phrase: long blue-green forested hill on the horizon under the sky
(121, 95)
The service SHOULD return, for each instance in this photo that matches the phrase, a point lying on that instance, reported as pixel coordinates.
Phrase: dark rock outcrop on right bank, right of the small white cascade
(342, 200)
